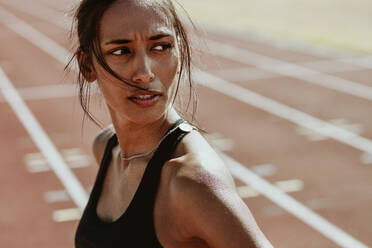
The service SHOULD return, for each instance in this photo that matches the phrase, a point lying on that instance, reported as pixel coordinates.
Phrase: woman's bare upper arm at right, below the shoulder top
(209, 208)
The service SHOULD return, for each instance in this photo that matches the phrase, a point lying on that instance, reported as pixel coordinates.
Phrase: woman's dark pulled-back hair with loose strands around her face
(86, 25)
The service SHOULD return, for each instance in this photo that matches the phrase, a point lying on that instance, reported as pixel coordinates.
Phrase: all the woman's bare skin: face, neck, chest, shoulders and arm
(197, 204)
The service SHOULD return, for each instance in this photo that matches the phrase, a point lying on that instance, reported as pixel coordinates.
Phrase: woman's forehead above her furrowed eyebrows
(131, 17)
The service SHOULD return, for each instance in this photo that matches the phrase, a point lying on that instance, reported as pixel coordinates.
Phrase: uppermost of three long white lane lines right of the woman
(288, 69)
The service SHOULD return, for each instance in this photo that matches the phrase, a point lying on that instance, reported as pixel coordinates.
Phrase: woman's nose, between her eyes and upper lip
(142, 69)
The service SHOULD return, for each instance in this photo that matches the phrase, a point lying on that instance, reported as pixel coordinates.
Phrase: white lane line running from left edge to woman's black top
(42, 141)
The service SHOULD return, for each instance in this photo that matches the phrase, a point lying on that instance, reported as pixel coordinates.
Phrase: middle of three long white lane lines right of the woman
(283, 111)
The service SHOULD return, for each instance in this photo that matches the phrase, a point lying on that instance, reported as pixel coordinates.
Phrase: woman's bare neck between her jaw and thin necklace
(138, 138)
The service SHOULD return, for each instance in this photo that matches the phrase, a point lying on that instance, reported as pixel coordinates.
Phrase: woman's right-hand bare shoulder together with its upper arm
(205, 202)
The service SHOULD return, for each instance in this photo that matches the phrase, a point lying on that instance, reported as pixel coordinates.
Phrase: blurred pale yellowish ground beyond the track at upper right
(336, 24)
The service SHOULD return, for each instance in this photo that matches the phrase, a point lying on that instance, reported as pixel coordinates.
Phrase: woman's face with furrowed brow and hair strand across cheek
(139, 45)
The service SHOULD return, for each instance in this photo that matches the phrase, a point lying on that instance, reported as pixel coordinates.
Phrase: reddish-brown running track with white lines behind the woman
(294, 126)
